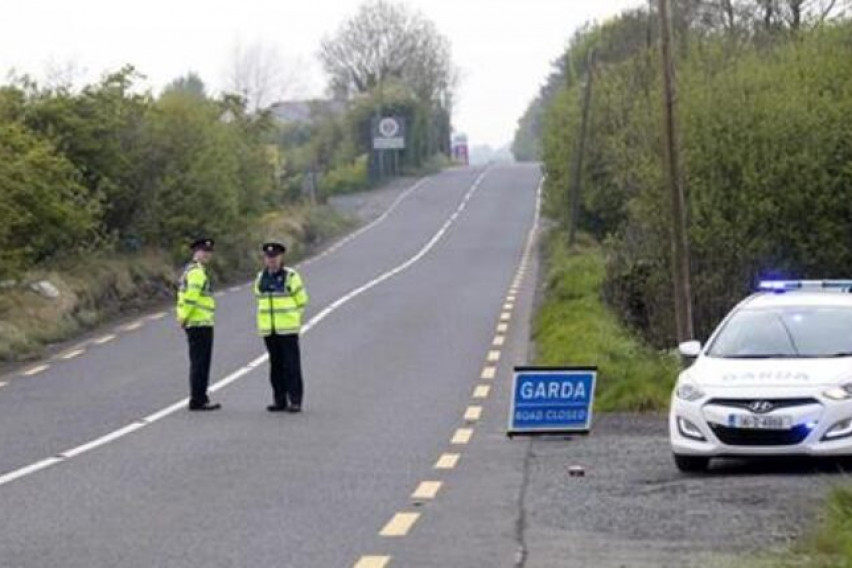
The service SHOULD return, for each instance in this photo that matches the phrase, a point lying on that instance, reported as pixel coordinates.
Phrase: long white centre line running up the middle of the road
(121, 432)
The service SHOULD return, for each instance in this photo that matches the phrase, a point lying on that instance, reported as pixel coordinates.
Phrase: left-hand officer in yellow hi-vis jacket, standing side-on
(196, 309)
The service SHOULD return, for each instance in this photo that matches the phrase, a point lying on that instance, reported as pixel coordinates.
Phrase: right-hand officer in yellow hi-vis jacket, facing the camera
(281, 300)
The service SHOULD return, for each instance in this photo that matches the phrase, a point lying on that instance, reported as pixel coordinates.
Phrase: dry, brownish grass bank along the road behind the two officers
(94, 289)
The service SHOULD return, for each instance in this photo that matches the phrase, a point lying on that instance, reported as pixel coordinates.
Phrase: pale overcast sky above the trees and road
(503, 47)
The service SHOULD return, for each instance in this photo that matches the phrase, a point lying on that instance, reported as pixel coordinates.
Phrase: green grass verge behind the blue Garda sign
(573, 326)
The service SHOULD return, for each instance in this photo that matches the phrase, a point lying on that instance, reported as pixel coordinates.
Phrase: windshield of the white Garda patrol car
(786, 332)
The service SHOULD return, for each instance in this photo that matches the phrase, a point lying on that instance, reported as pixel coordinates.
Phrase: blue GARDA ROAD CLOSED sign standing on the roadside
(552, 400)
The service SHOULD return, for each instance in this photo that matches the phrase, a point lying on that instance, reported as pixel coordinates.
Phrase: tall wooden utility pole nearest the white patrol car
(680, 245)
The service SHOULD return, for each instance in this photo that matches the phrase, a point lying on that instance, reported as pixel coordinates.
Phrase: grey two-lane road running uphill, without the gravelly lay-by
(102, 466)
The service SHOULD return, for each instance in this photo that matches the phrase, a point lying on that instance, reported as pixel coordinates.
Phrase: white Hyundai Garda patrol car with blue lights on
(775, 378)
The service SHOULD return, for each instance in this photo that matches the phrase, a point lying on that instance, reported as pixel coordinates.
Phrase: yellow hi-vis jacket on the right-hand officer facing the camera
(281, 300)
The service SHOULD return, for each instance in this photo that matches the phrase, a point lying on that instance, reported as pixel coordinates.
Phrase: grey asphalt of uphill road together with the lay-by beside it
(400, 458)
